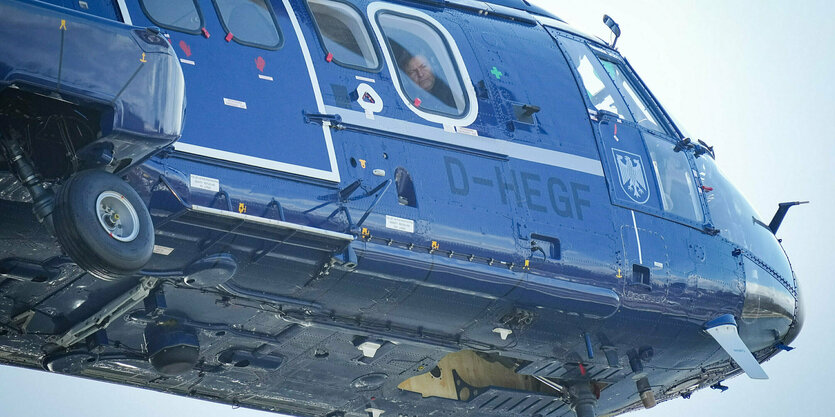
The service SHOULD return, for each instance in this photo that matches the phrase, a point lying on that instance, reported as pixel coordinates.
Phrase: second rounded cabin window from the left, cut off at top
(250, 22)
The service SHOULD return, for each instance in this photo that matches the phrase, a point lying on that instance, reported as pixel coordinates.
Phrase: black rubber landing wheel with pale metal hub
(103, 225)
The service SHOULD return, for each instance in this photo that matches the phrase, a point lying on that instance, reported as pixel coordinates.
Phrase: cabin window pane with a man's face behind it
(428, 75)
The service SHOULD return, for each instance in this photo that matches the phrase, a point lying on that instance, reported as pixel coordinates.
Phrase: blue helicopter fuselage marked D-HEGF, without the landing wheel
(325, 207)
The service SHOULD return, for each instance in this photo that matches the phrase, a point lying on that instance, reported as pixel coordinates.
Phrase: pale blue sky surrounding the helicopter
(752, 78)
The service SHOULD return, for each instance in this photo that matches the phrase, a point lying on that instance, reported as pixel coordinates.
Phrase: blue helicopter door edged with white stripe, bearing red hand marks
(253, 95)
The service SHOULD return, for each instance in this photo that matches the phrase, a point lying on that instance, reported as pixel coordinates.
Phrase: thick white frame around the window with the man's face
(470, 112)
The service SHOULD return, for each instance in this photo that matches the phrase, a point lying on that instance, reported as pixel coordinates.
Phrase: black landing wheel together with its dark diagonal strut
(99, 220)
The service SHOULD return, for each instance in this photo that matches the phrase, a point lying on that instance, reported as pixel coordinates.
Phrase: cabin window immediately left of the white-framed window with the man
(344, 34)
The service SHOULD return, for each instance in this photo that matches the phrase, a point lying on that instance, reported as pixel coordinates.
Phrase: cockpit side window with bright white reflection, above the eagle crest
(598, 86)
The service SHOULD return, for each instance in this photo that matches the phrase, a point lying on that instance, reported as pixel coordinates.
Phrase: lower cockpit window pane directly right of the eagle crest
(675, 179)
